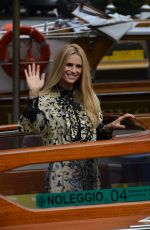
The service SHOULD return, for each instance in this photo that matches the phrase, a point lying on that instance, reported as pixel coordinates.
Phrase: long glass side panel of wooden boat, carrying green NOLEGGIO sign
(123, 179)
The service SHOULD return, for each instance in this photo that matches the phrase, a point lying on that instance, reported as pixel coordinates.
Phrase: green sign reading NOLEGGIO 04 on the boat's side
(91, 197)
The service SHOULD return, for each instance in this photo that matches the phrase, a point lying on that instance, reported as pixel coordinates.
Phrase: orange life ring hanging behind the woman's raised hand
(44, 51)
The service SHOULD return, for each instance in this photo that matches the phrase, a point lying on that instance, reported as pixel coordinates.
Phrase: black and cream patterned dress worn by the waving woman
(61, 119)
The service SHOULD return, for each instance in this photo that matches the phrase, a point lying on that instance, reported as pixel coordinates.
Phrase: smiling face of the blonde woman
(72, 72)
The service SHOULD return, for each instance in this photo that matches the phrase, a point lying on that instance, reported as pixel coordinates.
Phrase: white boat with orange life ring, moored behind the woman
(85, 28)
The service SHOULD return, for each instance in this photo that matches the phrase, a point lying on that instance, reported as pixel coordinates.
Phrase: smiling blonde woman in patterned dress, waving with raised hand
(65, 109)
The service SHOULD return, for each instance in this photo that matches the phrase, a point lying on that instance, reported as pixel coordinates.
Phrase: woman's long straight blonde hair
(83, 88)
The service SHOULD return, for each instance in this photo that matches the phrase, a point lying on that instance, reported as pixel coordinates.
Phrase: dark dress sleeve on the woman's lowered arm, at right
(103, 133)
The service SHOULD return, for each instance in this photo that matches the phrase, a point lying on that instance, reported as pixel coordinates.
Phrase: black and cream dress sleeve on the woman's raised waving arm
(32, 119)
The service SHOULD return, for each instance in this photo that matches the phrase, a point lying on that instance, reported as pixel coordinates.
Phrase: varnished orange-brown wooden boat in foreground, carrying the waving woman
(16, 181)
